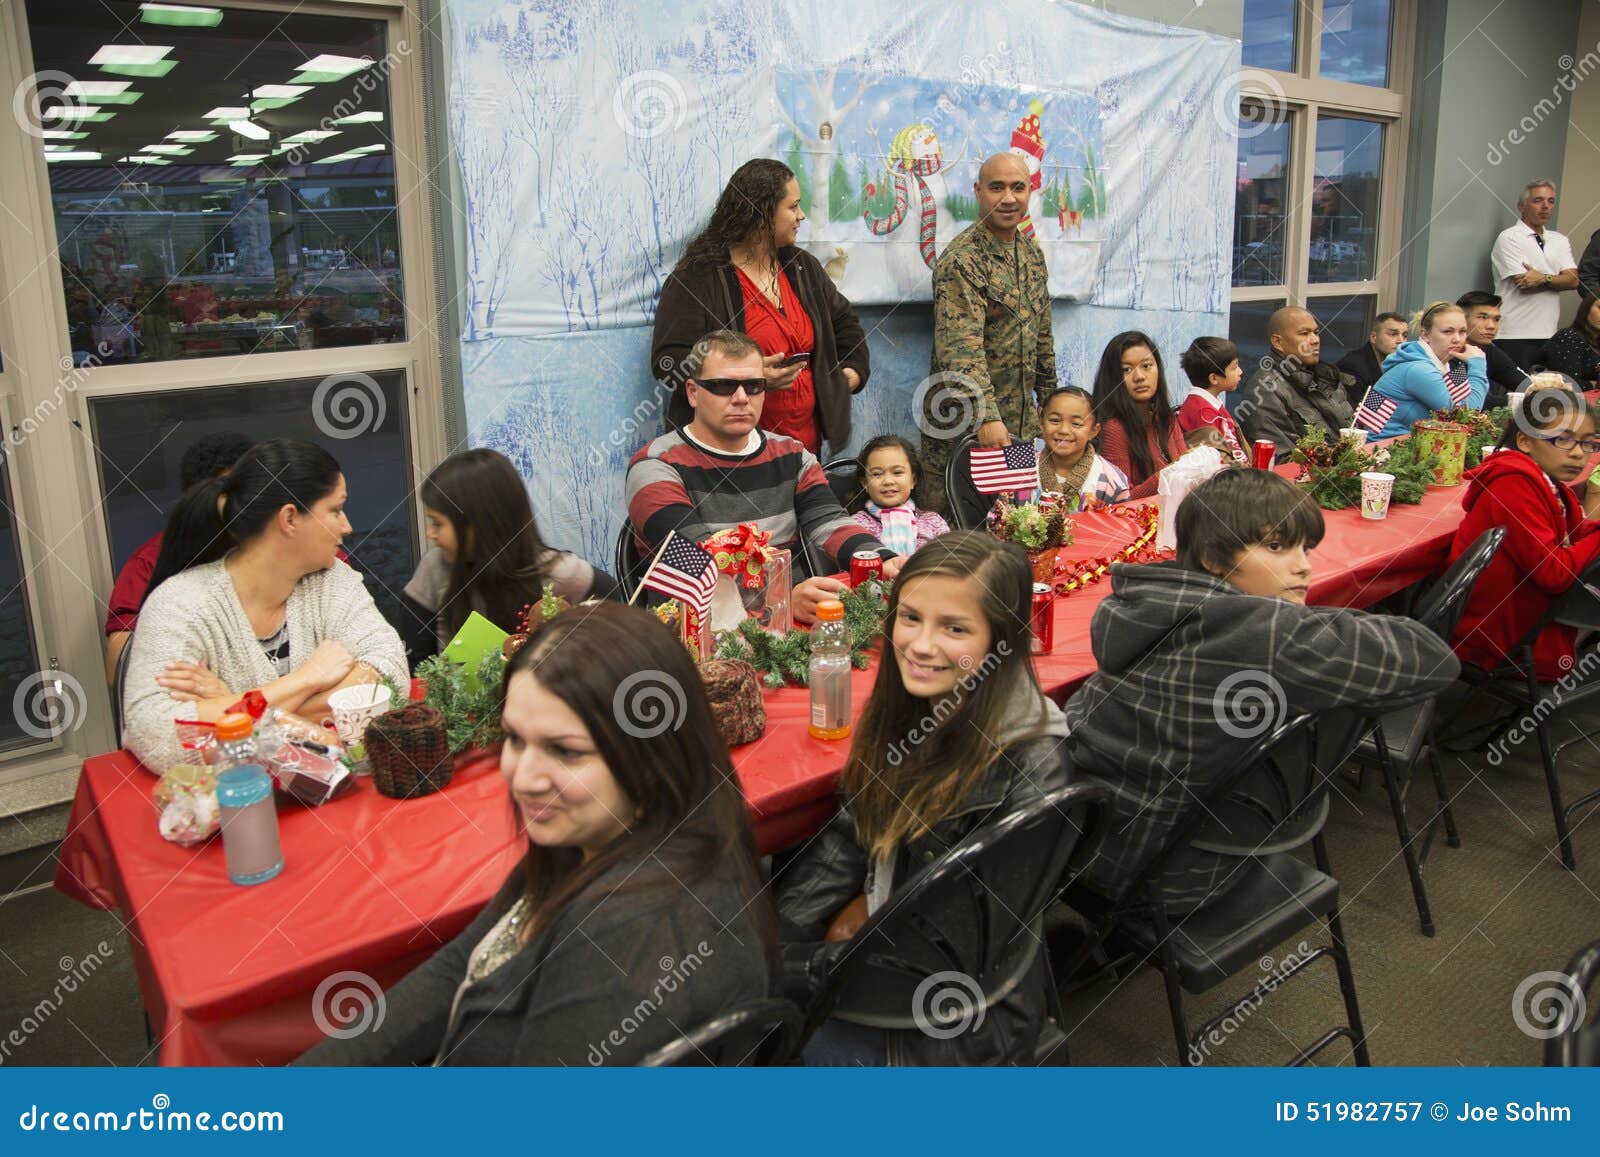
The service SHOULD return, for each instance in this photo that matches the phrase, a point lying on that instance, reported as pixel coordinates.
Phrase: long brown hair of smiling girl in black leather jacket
(900, 780)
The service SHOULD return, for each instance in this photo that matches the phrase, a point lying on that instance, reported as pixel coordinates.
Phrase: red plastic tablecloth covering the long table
(230, 975)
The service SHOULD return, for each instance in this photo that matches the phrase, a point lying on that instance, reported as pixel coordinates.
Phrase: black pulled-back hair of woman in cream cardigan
(222, 513)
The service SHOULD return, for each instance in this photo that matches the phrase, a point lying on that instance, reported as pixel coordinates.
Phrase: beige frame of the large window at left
(55, 478)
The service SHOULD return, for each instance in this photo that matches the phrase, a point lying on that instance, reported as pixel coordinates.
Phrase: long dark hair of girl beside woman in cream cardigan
(502, 562)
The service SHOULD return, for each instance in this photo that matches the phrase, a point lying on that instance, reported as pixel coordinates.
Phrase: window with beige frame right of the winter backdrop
(1318, 191)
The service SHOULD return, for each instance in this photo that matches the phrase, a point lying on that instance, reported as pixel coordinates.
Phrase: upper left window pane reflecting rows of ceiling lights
(222, 180)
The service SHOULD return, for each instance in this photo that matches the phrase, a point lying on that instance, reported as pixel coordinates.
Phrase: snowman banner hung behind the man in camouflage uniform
(898, 174)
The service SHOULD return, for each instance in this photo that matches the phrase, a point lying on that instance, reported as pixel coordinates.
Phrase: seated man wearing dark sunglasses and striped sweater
(721, 471)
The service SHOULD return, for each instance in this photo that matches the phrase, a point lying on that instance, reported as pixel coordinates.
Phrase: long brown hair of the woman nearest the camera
(631, 683)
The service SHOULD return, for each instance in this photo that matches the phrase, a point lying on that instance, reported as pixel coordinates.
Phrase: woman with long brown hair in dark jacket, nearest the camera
(638, 911)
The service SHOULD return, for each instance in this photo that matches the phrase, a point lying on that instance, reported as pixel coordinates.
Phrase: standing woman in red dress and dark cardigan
(746, 273)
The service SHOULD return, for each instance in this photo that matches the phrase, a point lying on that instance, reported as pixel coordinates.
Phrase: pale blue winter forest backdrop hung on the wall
(591, 146)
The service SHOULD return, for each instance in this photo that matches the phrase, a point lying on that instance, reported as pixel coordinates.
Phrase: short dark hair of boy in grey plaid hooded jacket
(1234, 511)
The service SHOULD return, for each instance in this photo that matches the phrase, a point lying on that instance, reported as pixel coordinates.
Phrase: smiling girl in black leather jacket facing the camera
(956, 673)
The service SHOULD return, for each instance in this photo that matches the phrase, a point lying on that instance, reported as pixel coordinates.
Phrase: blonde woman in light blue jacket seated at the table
(1438, 372)
